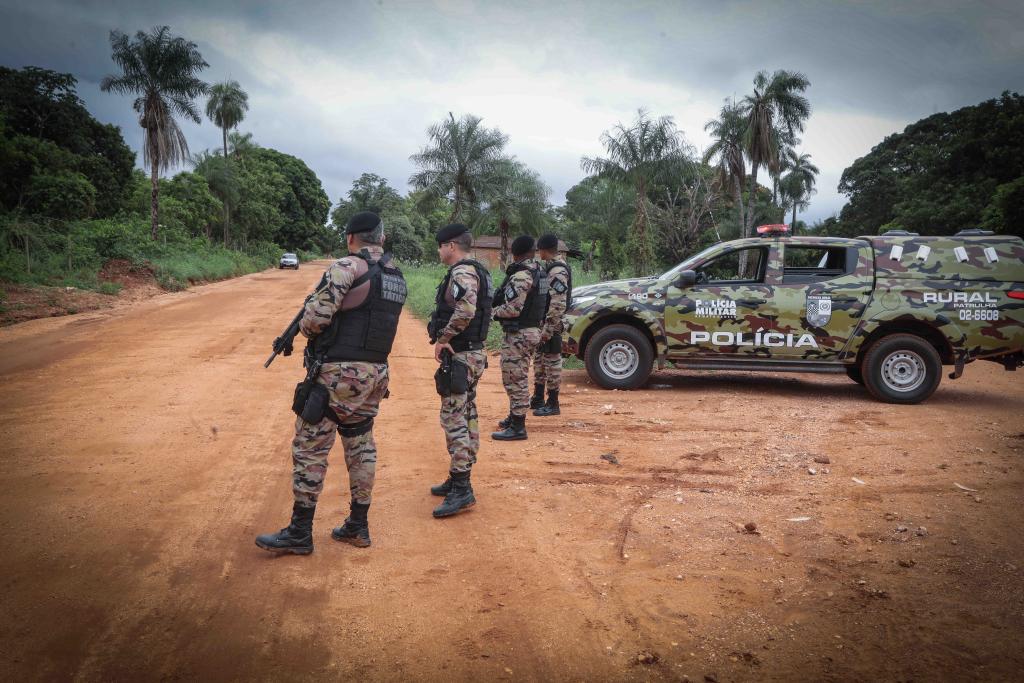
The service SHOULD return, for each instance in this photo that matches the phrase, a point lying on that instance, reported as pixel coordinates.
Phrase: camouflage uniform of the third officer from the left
(519, 347)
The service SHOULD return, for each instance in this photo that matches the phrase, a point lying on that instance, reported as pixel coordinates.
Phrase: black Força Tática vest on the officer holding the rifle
(367, 332)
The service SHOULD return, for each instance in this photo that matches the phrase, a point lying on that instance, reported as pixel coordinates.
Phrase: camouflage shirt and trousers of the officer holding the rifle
(356, 389)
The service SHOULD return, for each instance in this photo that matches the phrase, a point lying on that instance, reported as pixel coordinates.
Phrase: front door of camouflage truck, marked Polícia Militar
(728, 311)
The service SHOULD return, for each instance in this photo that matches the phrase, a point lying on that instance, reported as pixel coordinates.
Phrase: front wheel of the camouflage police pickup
(620, 358)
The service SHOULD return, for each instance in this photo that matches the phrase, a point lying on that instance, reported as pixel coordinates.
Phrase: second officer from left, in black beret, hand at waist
(458, 329)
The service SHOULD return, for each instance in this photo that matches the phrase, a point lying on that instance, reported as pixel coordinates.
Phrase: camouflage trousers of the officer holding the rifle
(357, 390)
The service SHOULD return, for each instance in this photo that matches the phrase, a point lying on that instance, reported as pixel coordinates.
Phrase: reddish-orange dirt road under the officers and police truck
(145, 449)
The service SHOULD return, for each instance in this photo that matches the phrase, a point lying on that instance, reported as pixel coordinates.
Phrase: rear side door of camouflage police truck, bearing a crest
(825, 290)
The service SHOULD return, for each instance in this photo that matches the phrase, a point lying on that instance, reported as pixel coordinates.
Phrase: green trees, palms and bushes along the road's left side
(72, 200)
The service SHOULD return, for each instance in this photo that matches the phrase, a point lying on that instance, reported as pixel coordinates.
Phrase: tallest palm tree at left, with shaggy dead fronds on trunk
(162, 70)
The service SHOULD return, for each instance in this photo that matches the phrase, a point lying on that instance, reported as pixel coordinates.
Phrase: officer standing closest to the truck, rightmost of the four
(548, 360)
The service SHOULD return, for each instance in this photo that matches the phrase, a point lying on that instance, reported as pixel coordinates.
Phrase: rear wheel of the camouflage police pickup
(902, 369)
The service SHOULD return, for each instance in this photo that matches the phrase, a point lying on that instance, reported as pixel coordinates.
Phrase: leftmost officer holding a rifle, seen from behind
(352, 324)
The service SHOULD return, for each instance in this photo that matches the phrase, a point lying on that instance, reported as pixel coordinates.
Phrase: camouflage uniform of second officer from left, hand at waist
(459, 417)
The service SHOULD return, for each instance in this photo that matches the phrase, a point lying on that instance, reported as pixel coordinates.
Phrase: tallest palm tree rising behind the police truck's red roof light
(776, 113)
